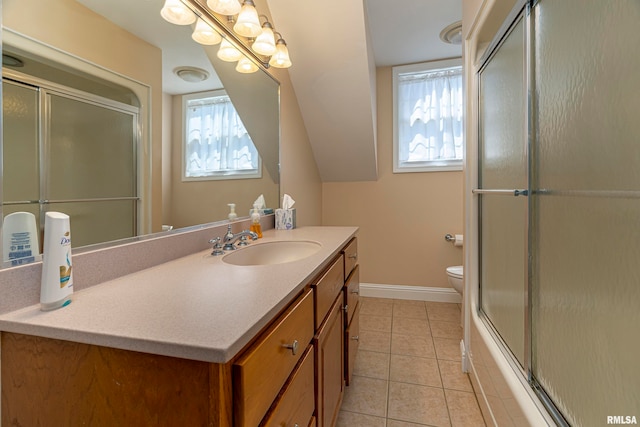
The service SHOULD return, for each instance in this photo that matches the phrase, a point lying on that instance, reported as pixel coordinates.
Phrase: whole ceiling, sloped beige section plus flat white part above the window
(335, 46)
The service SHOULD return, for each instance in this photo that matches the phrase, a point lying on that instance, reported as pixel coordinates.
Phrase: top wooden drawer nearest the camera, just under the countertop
(261, 372)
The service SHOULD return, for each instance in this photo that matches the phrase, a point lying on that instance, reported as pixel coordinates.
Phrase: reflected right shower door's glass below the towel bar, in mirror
(97, 222)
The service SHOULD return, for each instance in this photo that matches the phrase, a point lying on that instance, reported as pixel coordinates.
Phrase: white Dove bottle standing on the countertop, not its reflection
(57, 279)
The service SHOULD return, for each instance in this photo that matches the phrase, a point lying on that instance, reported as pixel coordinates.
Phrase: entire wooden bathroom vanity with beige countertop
(194, 341)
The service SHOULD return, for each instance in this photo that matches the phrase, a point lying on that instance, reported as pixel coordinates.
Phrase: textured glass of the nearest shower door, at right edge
(586, 292)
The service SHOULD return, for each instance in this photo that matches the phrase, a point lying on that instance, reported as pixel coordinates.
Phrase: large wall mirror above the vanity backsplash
(93, 121)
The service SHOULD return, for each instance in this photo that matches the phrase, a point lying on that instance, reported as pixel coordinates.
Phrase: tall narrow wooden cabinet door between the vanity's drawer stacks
(329, 369)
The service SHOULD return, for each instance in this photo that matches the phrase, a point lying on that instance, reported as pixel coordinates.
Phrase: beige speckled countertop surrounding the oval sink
(196, 307)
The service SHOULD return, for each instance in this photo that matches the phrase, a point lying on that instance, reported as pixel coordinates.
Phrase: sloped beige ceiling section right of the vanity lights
(334, 80)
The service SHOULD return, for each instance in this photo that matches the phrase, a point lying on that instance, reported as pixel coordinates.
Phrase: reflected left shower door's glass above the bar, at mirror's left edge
(20, 176)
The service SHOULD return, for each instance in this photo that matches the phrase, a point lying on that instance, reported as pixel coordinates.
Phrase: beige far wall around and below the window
(402, 217)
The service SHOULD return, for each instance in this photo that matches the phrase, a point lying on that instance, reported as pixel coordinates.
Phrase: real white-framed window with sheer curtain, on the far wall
(428, 111)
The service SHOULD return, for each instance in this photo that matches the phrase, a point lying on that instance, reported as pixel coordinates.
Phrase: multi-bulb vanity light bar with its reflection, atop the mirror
(257, 43)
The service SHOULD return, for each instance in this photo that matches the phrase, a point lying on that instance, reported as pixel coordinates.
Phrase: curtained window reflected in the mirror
(216, 144)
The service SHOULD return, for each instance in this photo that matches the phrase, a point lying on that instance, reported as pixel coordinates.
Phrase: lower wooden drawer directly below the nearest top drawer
(297, 402)
